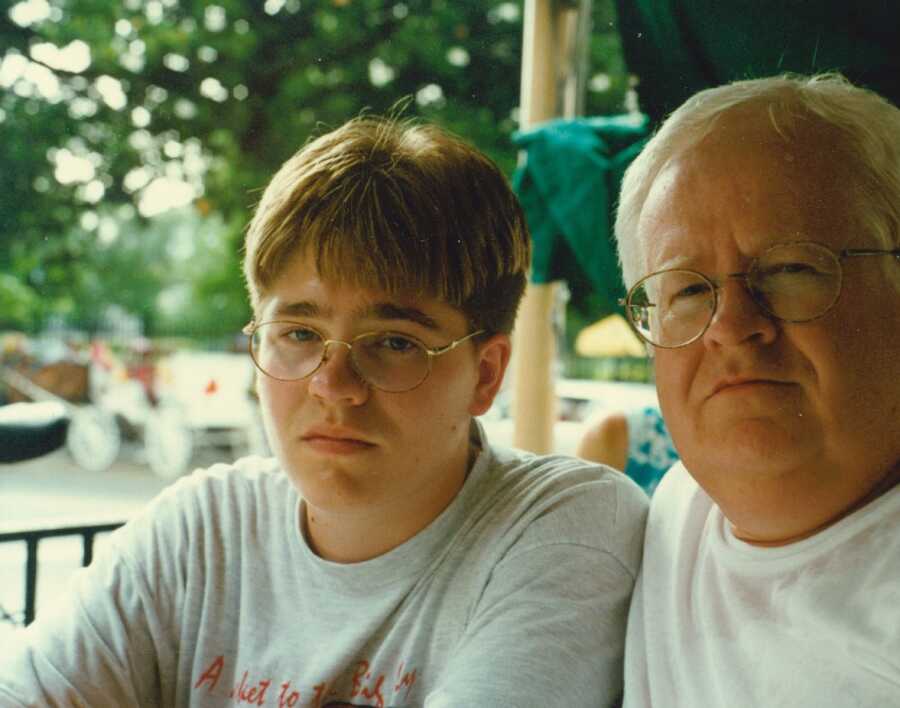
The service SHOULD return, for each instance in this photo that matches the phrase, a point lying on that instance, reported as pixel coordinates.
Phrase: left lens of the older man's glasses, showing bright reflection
(671, 308)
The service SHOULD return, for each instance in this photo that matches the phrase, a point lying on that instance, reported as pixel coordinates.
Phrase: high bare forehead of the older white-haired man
(786, 192)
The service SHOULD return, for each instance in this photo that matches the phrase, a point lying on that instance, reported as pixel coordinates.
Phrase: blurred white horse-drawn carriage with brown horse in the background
(170, 407)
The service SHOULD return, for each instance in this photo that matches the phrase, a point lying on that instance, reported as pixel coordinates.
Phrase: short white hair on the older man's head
(867, 130)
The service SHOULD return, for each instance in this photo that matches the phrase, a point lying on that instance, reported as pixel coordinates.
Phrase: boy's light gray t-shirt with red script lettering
(516, 595)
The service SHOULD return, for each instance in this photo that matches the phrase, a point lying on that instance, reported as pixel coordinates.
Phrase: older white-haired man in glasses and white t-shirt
(759, 235)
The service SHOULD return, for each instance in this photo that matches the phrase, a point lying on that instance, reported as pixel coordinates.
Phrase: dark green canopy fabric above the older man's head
(679, 47)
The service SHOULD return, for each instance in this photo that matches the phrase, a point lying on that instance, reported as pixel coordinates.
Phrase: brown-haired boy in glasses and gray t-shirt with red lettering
(388, 555)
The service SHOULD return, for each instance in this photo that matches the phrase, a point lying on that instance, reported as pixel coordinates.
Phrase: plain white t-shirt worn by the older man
(716, 622)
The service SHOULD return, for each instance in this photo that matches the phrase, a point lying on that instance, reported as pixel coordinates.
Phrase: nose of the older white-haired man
(738, 317)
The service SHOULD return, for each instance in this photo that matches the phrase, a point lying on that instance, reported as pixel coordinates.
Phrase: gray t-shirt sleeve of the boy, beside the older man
(549, 627)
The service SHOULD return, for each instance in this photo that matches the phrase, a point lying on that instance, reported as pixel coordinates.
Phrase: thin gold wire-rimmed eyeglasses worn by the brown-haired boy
(388, 361)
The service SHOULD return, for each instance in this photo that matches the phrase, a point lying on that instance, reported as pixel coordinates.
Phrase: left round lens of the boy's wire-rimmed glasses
(286, 350)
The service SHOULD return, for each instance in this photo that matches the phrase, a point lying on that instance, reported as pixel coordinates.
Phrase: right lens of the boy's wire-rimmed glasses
(389, 361)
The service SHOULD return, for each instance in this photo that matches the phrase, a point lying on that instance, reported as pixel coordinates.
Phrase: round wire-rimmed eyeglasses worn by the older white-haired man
(792, 282)
